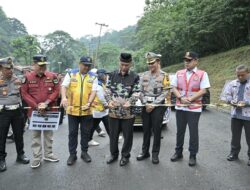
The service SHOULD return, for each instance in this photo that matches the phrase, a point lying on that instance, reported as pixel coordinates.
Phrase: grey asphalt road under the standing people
(213, 171)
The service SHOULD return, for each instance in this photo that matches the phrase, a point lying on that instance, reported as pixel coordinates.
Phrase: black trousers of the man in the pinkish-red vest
(184, 118)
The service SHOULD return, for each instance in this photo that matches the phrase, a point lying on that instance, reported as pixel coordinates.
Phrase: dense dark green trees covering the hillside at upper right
(172, 27)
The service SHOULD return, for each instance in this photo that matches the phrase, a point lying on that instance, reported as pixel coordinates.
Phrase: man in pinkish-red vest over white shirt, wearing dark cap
(189, 85)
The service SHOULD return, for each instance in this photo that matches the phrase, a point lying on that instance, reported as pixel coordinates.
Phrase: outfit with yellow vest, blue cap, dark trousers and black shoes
(79, 87)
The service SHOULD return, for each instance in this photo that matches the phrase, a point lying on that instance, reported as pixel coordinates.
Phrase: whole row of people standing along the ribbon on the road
(90, 98)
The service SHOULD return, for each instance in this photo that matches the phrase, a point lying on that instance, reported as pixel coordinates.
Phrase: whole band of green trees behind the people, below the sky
(169, 27)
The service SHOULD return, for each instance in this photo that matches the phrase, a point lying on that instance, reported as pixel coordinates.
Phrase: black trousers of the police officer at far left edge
(16, 120)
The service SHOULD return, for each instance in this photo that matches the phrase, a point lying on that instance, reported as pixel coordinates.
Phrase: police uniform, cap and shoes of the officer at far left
(10, 113)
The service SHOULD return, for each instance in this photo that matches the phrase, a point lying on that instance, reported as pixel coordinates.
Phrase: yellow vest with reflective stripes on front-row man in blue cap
(78, 93)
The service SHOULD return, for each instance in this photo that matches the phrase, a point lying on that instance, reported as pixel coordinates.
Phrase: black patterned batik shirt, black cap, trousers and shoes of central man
(121, 88)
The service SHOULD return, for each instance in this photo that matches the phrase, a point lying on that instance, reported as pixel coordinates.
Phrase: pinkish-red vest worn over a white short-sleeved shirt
(189, 88)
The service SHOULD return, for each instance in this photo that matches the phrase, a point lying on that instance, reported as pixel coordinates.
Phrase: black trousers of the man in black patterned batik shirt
(115, 126)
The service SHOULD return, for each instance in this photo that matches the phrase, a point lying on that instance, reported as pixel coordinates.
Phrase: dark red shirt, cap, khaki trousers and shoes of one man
(36, 89)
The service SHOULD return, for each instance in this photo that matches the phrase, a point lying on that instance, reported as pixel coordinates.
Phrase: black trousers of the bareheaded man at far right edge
(236, 127)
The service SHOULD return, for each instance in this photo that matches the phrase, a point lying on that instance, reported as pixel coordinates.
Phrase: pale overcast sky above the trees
(77, 17)
